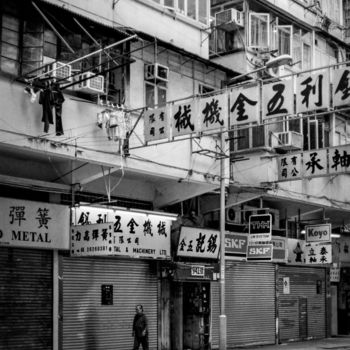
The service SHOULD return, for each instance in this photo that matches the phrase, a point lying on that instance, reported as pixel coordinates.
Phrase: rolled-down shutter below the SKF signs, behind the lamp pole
(250, 304)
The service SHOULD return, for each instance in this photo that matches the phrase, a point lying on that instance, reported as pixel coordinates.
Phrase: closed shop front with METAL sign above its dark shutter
(30, 235)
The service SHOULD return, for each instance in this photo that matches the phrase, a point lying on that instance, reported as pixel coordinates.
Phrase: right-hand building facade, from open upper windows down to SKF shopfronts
(277, 153)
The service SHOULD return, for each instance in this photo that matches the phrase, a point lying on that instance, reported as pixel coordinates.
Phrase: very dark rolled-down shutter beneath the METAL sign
(25, 299)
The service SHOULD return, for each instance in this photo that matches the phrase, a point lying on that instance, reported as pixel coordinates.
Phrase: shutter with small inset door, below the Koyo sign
(302, 312)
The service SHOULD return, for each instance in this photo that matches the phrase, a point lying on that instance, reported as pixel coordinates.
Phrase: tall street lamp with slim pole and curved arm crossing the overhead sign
(275, 62)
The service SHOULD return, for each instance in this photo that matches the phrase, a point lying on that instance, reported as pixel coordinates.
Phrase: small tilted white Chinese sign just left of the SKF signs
(198, 243)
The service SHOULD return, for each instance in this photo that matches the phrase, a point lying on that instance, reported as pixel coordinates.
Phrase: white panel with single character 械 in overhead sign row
(184, 118)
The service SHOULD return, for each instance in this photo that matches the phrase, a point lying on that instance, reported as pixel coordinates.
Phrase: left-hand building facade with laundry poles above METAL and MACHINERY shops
(79, 82)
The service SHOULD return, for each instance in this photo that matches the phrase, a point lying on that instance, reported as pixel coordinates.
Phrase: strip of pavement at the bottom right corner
(333, 343)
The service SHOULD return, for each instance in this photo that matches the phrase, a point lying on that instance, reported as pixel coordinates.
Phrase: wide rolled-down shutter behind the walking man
(89, 325)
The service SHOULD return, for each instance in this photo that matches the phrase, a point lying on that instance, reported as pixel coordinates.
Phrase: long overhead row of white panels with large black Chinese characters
(306, 92)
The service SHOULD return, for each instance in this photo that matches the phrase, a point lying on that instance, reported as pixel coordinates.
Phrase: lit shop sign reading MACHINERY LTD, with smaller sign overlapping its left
(100, 231)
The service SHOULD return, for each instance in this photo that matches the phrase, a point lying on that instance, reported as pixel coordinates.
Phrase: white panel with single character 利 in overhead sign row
(313, 92)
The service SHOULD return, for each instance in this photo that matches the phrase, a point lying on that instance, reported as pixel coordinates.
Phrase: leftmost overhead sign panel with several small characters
(156, 124)
